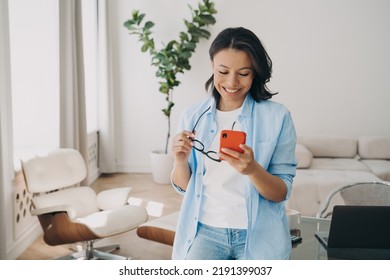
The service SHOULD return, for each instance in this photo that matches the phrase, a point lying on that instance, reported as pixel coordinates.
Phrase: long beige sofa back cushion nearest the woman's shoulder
(330, 146)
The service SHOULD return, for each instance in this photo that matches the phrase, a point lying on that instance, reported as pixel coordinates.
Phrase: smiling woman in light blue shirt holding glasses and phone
(233, 208)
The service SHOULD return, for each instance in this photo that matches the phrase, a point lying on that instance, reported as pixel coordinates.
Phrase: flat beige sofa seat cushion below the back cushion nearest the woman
(338, 164)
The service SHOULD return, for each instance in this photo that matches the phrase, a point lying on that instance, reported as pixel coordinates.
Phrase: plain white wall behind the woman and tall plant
(331, 67)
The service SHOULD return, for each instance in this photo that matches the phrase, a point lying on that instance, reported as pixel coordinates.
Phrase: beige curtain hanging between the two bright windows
(73, 126)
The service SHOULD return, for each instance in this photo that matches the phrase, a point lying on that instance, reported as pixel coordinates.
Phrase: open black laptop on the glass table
(358, 232)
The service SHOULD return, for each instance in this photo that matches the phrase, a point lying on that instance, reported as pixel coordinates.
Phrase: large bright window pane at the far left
(34, 48)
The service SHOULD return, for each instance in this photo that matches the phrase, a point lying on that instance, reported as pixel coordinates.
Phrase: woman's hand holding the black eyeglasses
(182, 145)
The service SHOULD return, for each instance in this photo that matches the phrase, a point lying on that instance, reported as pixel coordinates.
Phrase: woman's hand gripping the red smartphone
(243, 162)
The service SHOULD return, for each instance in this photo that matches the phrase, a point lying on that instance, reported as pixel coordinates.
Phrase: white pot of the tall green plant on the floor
(161, 165)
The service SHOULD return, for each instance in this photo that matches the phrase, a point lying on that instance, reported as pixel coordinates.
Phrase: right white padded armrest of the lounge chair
(113, 198)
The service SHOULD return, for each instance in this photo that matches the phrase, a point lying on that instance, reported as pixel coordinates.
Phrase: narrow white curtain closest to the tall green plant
(105, 93)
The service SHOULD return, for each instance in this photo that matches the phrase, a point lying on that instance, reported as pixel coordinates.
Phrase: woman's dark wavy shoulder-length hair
(245, 40)
